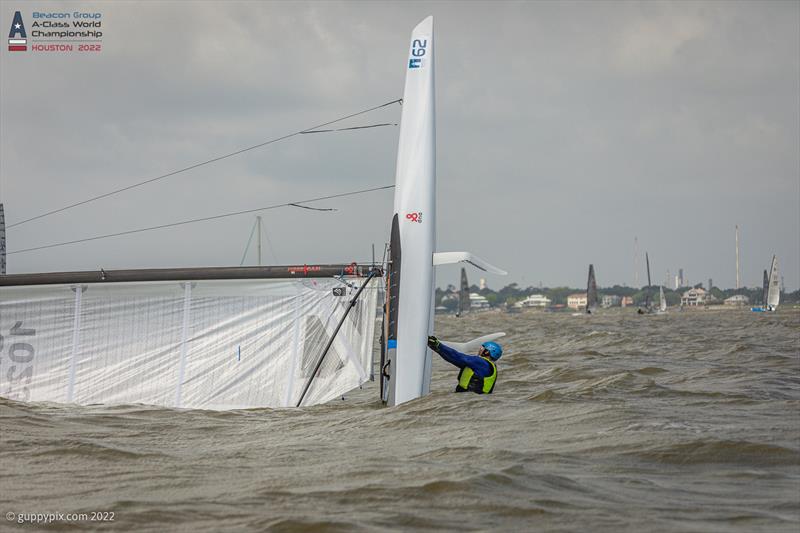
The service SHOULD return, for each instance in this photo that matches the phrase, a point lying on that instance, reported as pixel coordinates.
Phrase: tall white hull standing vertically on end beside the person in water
(411, 278)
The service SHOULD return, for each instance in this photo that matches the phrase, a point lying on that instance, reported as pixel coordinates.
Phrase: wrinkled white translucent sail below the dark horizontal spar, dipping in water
(212, 344)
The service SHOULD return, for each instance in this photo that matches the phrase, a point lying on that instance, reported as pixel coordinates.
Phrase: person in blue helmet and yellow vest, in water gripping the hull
(478, 372)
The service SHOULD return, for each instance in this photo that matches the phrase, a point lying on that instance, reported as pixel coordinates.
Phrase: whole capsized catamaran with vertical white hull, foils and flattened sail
(242, 337)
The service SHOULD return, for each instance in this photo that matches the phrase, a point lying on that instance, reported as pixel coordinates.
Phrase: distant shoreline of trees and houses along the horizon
(513, 293)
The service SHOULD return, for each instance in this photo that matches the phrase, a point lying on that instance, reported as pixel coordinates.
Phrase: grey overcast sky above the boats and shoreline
(564, 130)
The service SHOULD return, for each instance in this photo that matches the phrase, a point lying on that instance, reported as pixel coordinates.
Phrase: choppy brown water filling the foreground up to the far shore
(614, 422)
